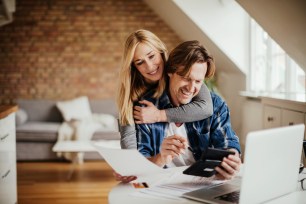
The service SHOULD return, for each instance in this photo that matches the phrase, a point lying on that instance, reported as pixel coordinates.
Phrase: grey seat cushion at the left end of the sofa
(37, 132)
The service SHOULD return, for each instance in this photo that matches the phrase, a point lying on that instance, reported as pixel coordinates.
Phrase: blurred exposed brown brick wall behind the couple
(60, 49)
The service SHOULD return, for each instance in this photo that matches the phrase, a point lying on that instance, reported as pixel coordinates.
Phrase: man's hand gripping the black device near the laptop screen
(230, 166)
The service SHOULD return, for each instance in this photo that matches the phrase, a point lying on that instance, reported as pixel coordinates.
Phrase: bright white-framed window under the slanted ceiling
(272, 70)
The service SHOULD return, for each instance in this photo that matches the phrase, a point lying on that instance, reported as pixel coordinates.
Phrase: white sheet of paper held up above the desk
(129, 162)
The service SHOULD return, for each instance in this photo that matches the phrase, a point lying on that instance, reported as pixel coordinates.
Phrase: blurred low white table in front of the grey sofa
(82, 146)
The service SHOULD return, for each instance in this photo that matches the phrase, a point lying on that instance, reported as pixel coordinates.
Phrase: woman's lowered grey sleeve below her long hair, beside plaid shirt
(128, 137)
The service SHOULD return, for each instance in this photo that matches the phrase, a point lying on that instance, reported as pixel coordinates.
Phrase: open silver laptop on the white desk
(270, 169)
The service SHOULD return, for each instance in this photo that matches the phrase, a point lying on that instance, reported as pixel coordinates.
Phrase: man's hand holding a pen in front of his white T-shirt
(171, 147)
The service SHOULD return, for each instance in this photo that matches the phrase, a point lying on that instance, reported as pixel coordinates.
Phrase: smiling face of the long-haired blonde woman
(149, 63)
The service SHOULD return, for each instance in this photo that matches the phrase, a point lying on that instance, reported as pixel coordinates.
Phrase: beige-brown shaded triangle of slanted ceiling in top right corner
(284, 21)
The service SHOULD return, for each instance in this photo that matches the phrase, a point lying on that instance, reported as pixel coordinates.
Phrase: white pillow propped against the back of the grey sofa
(75, 109)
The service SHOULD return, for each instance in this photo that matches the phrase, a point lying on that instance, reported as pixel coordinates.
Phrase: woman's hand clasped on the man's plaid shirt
(148, 114)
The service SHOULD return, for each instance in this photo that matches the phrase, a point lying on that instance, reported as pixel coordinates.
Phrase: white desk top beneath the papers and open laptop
(122, 194)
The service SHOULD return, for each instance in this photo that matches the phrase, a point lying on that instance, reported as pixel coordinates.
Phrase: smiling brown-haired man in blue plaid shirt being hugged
(166, 144)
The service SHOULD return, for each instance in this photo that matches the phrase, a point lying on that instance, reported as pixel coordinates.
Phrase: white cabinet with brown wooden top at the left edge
(8, 177)
